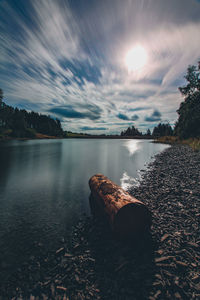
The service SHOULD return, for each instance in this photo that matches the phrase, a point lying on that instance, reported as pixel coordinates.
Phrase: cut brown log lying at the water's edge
(127, 216)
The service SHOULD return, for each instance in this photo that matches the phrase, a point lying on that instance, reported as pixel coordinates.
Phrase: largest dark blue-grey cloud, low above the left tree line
(67, 112)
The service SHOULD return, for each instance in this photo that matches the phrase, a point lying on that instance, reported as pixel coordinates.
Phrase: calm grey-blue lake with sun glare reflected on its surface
(44, 186)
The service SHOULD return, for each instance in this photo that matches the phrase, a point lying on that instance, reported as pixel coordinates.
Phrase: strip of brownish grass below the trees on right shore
(194, 143)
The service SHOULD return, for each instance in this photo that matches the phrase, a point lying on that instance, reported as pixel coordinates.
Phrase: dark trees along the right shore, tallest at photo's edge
(188, 123)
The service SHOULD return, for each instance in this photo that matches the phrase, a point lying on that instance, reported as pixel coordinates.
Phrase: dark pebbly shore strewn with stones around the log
(91, 265)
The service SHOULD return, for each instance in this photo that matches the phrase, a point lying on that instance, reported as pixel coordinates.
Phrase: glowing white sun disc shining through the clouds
(136, 58)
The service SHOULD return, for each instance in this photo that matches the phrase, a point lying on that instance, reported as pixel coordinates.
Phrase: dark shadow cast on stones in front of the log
(123, 270)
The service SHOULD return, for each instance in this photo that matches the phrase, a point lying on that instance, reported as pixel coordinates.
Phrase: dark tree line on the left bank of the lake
(20, 123)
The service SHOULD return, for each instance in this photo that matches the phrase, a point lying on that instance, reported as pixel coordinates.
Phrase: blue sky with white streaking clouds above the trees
(68, 59)
